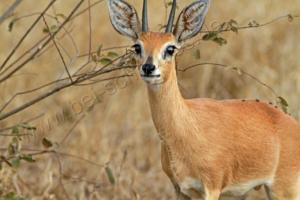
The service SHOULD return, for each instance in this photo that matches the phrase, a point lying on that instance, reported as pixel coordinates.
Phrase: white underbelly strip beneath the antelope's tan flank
(241, 189)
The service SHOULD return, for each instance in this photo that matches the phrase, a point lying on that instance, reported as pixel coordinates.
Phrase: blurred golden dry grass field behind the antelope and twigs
(106, 128)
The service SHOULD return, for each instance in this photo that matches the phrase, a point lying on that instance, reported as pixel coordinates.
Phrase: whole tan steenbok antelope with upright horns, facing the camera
(210, 149)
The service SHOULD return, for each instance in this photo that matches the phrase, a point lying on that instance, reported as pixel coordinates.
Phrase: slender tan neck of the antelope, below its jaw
(168, 108)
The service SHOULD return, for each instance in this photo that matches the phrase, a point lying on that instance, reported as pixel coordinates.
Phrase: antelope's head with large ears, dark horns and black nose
(155, 51)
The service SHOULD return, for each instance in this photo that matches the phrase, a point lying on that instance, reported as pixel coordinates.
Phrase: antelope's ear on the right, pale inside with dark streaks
(190, 20)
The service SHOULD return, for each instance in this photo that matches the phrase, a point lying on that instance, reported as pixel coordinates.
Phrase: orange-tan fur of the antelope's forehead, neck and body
(221, 144)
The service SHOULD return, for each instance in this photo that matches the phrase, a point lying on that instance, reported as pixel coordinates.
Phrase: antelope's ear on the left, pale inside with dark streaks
(124, 18)
